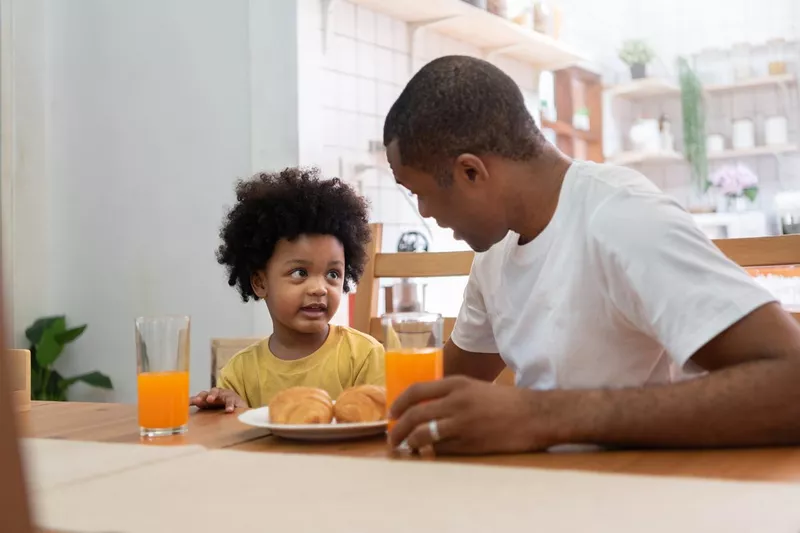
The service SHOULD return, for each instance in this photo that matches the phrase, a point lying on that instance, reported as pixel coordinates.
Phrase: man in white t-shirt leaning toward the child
(592, 286)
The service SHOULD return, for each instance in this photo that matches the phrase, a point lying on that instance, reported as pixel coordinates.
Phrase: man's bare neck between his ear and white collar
(534, 194)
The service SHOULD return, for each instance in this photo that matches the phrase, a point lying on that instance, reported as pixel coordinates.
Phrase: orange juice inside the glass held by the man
(409, 366)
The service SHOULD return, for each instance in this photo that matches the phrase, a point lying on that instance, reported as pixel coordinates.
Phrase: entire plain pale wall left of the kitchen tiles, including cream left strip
(126, 128)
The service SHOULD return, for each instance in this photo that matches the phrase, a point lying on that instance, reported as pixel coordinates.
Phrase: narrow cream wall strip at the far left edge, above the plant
(25, 212)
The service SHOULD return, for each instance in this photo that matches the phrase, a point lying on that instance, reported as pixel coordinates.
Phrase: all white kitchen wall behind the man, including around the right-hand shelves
(368, 64)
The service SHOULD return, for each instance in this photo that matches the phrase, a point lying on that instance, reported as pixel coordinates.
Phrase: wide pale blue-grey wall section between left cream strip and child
(150, 125)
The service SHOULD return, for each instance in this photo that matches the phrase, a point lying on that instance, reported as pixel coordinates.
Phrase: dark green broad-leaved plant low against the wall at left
(48, 336)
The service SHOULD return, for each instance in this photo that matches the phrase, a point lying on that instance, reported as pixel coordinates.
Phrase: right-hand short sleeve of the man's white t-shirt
(665, 276)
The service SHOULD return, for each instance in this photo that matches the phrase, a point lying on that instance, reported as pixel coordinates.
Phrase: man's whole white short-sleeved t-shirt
(619, 290)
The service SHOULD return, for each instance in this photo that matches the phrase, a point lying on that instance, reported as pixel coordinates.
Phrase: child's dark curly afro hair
(285, 205)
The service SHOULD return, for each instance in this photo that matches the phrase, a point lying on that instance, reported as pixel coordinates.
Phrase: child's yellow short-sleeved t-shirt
(347, 358)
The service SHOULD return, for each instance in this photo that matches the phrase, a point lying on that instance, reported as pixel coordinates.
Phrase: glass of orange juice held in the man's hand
(413, 343)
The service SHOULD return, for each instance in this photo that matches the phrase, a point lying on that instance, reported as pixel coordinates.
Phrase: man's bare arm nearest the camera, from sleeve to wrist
(750, 397)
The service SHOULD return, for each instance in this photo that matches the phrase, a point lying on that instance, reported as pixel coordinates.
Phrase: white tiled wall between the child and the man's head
(366, 68)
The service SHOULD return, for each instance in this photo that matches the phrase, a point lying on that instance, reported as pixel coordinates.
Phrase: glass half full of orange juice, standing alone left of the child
(162, 364)
